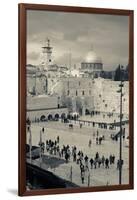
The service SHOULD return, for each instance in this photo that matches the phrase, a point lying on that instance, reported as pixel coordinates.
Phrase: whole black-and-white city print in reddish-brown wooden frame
(75, 99)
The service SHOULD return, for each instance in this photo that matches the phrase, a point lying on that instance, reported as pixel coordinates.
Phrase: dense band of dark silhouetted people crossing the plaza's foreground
(71, 153)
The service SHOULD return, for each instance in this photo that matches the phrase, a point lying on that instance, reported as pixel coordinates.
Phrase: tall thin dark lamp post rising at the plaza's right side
(121, 85)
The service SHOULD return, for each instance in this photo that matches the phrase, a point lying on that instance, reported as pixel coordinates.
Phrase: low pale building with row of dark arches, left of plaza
(44, 107)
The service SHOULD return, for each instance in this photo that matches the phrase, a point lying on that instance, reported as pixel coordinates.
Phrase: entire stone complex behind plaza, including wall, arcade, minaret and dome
(75, 90)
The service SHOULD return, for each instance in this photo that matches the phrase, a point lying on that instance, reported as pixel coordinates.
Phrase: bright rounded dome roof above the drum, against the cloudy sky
(92, 57)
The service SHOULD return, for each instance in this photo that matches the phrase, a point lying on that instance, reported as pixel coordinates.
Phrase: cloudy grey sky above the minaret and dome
(78, 33)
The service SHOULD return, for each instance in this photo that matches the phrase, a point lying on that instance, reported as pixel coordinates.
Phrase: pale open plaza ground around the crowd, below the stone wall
(80, 138)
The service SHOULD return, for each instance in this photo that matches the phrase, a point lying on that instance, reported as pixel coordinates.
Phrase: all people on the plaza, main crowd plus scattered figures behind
(85, 162)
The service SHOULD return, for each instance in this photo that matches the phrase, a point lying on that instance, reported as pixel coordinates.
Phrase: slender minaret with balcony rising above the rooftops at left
(47, 51)
